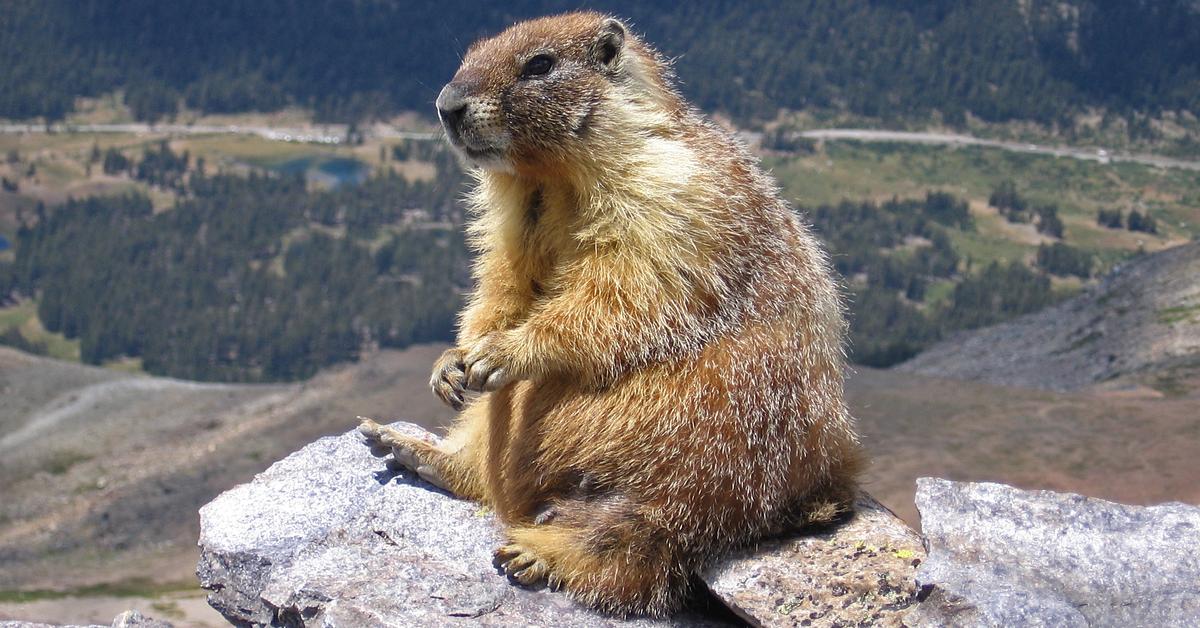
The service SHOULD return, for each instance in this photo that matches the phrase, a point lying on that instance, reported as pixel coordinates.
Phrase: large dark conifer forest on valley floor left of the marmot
(248, 279)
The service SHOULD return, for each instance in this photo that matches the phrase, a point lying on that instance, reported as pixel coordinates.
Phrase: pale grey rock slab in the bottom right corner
(1003, 557)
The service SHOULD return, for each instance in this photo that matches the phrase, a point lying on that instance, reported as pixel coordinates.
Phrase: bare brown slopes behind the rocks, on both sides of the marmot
(105, 471)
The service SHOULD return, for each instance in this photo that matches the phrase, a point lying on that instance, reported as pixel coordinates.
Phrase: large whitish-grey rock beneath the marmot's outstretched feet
(332, 536)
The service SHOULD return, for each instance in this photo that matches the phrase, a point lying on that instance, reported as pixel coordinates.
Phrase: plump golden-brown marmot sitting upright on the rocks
(658, 339)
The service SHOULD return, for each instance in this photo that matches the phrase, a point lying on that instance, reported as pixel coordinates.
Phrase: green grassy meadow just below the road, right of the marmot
(1081, 189)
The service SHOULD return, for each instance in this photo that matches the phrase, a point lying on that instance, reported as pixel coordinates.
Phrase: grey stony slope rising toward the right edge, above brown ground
(1141, 322)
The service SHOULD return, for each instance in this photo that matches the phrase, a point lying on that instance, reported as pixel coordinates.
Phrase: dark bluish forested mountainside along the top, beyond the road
(1042, 61)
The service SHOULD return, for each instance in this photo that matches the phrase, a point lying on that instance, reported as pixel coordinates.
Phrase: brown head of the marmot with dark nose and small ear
(533, 97)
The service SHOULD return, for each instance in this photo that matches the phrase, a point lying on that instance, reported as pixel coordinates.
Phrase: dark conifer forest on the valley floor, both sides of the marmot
(261, 278)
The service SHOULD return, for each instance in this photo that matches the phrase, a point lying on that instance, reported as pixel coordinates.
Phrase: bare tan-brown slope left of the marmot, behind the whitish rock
(104, 473)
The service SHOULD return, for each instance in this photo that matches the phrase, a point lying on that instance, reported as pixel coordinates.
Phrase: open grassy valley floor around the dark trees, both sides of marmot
(80, 162)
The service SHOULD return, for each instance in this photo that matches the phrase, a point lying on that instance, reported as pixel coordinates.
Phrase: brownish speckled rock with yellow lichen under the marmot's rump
(860, 573)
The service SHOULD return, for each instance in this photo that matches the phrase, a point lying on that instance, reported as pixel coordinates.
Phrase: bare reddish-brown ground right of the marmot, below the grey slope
(1132, 446)
